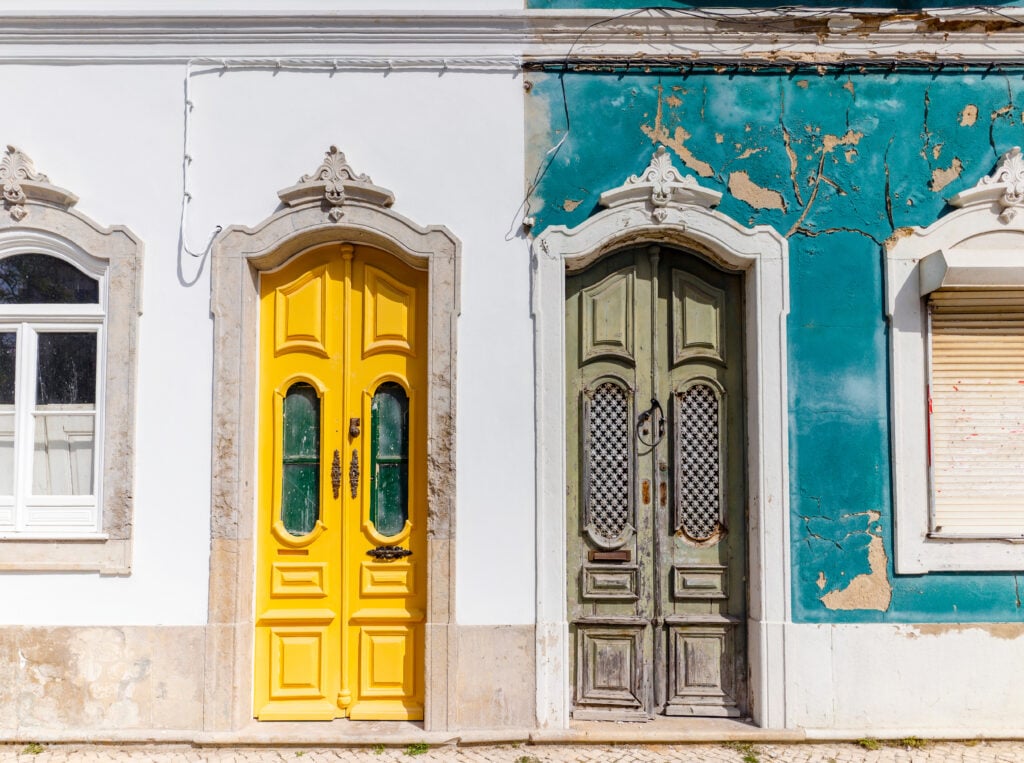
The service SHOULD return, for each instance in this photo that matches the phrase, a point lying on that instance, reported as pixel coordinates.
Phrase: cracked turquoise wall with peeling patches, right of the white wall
(836, 162)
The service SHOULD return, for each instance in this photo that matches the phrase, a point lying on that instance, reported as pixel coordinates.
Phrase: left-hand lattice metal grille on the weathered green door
(609, 461)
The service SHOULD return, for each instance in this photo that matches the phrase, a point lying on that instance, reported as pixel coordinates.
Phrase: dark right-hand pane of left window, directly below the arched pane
(67, 371)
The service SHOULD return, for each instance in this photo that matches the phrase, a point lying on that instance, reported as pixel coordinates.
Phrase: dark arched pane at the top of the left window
(39, 279)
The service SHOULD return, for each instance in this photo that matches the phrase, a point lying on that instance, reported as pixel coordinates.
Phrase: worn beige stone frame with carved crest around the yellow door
(332, 205)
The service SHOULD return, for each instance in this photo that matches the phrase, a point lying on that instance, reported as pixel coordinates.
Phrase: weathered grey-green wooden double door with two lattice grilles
(657, 493)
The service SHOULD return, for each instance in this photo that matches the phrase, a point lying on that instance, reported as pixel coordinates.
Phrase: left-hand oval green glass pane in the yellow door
(301, 468)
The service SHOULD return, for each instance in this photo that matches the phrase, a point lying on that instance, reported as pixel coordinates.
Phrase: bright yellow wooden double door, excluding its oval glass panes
(339, 633)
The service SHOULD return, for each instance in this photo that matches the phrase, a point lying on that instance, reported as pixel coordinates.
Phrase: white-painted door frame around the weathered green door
(763, 257)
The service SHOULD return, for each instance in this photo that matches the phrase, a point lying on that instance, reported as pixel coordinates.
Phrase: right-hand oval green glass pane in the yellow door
(390, 459)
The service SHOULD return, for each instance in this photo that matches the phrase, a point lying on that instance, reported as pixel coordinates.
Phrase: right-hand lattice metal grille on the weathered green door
(699, 469)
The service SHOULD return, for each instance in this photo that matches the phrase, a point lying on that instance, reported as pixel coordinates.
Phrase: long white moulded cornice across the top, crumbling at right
(684, 36)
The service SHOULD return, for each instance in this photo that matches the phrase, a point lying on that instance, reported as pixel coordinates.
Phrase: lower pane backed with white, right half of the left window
(64, 448)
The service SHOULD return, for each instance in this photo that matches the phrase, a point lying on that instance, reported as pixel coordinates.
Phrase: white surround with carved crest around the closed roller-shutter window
(979, 245)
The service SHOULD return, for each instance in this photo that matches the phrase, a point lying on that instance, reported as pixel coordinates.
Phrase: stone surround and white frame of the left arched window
(36, 218)
